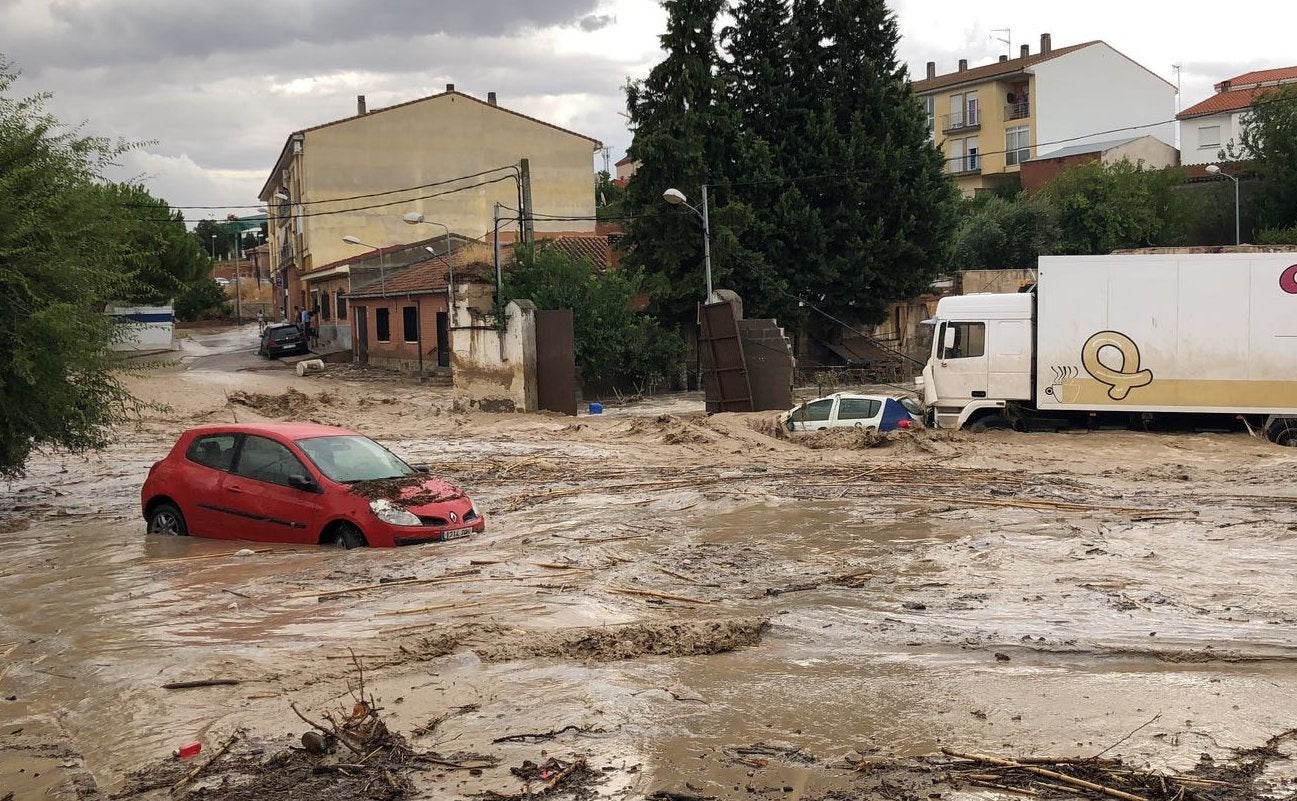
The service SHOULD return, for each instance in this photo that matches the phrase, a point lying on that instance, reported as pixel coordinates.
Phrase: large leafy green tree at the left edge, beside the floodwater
(60, 252)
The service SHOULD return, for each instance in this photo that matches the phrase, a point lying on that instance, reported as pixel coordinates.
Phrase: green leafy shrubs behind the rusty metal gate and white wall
(614, 343)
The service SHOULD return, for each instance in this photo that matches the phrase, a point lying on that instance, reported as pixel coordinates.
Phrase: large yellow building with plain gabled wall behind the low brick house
(453, 159)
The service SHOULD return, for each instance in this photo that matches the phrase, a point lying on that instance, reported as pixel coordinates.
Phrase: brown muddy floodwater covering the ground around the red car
(662, 603)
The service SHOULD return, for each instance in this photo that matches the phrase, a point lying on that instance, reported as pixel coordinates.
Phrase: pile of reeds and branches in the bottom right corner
(1239, 780)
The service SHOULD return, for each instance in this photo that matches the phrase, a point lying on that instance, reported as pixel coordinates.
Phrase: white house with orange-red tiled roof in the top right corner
(1209, 126)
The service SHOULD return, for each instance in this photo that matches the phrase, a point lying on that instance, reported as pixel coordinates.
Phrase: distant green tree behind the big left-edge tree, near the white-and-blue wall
(161, 257)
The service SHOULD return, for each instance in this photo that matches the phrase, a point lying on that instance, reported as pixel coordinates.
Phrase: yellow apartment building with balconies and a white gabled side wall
(992, 119)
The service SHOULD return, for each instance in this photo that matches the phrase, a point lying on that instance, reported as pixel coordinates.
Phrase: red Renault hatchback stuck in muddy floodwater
(300, 483)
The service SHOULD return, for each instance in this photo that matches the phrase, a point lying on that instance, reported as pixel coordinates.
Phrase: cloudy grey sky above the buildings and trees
(215, 89)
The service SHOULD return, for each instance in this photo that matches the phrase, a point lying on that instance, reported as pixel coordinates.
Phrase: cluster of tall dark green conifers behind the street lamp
(824, 183)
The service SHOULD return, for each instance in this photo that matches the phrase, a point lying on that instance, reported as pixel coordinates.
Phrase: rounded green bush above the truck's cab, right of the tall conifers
(997, 233)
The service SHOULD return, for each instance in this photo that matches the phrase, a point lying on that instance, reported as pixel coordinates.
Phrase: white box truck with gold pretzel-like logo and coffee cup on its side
(1145, 340)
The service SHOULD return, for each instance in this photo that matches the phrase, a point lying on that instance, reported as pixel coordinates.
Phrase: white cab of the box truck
(981, 360)
